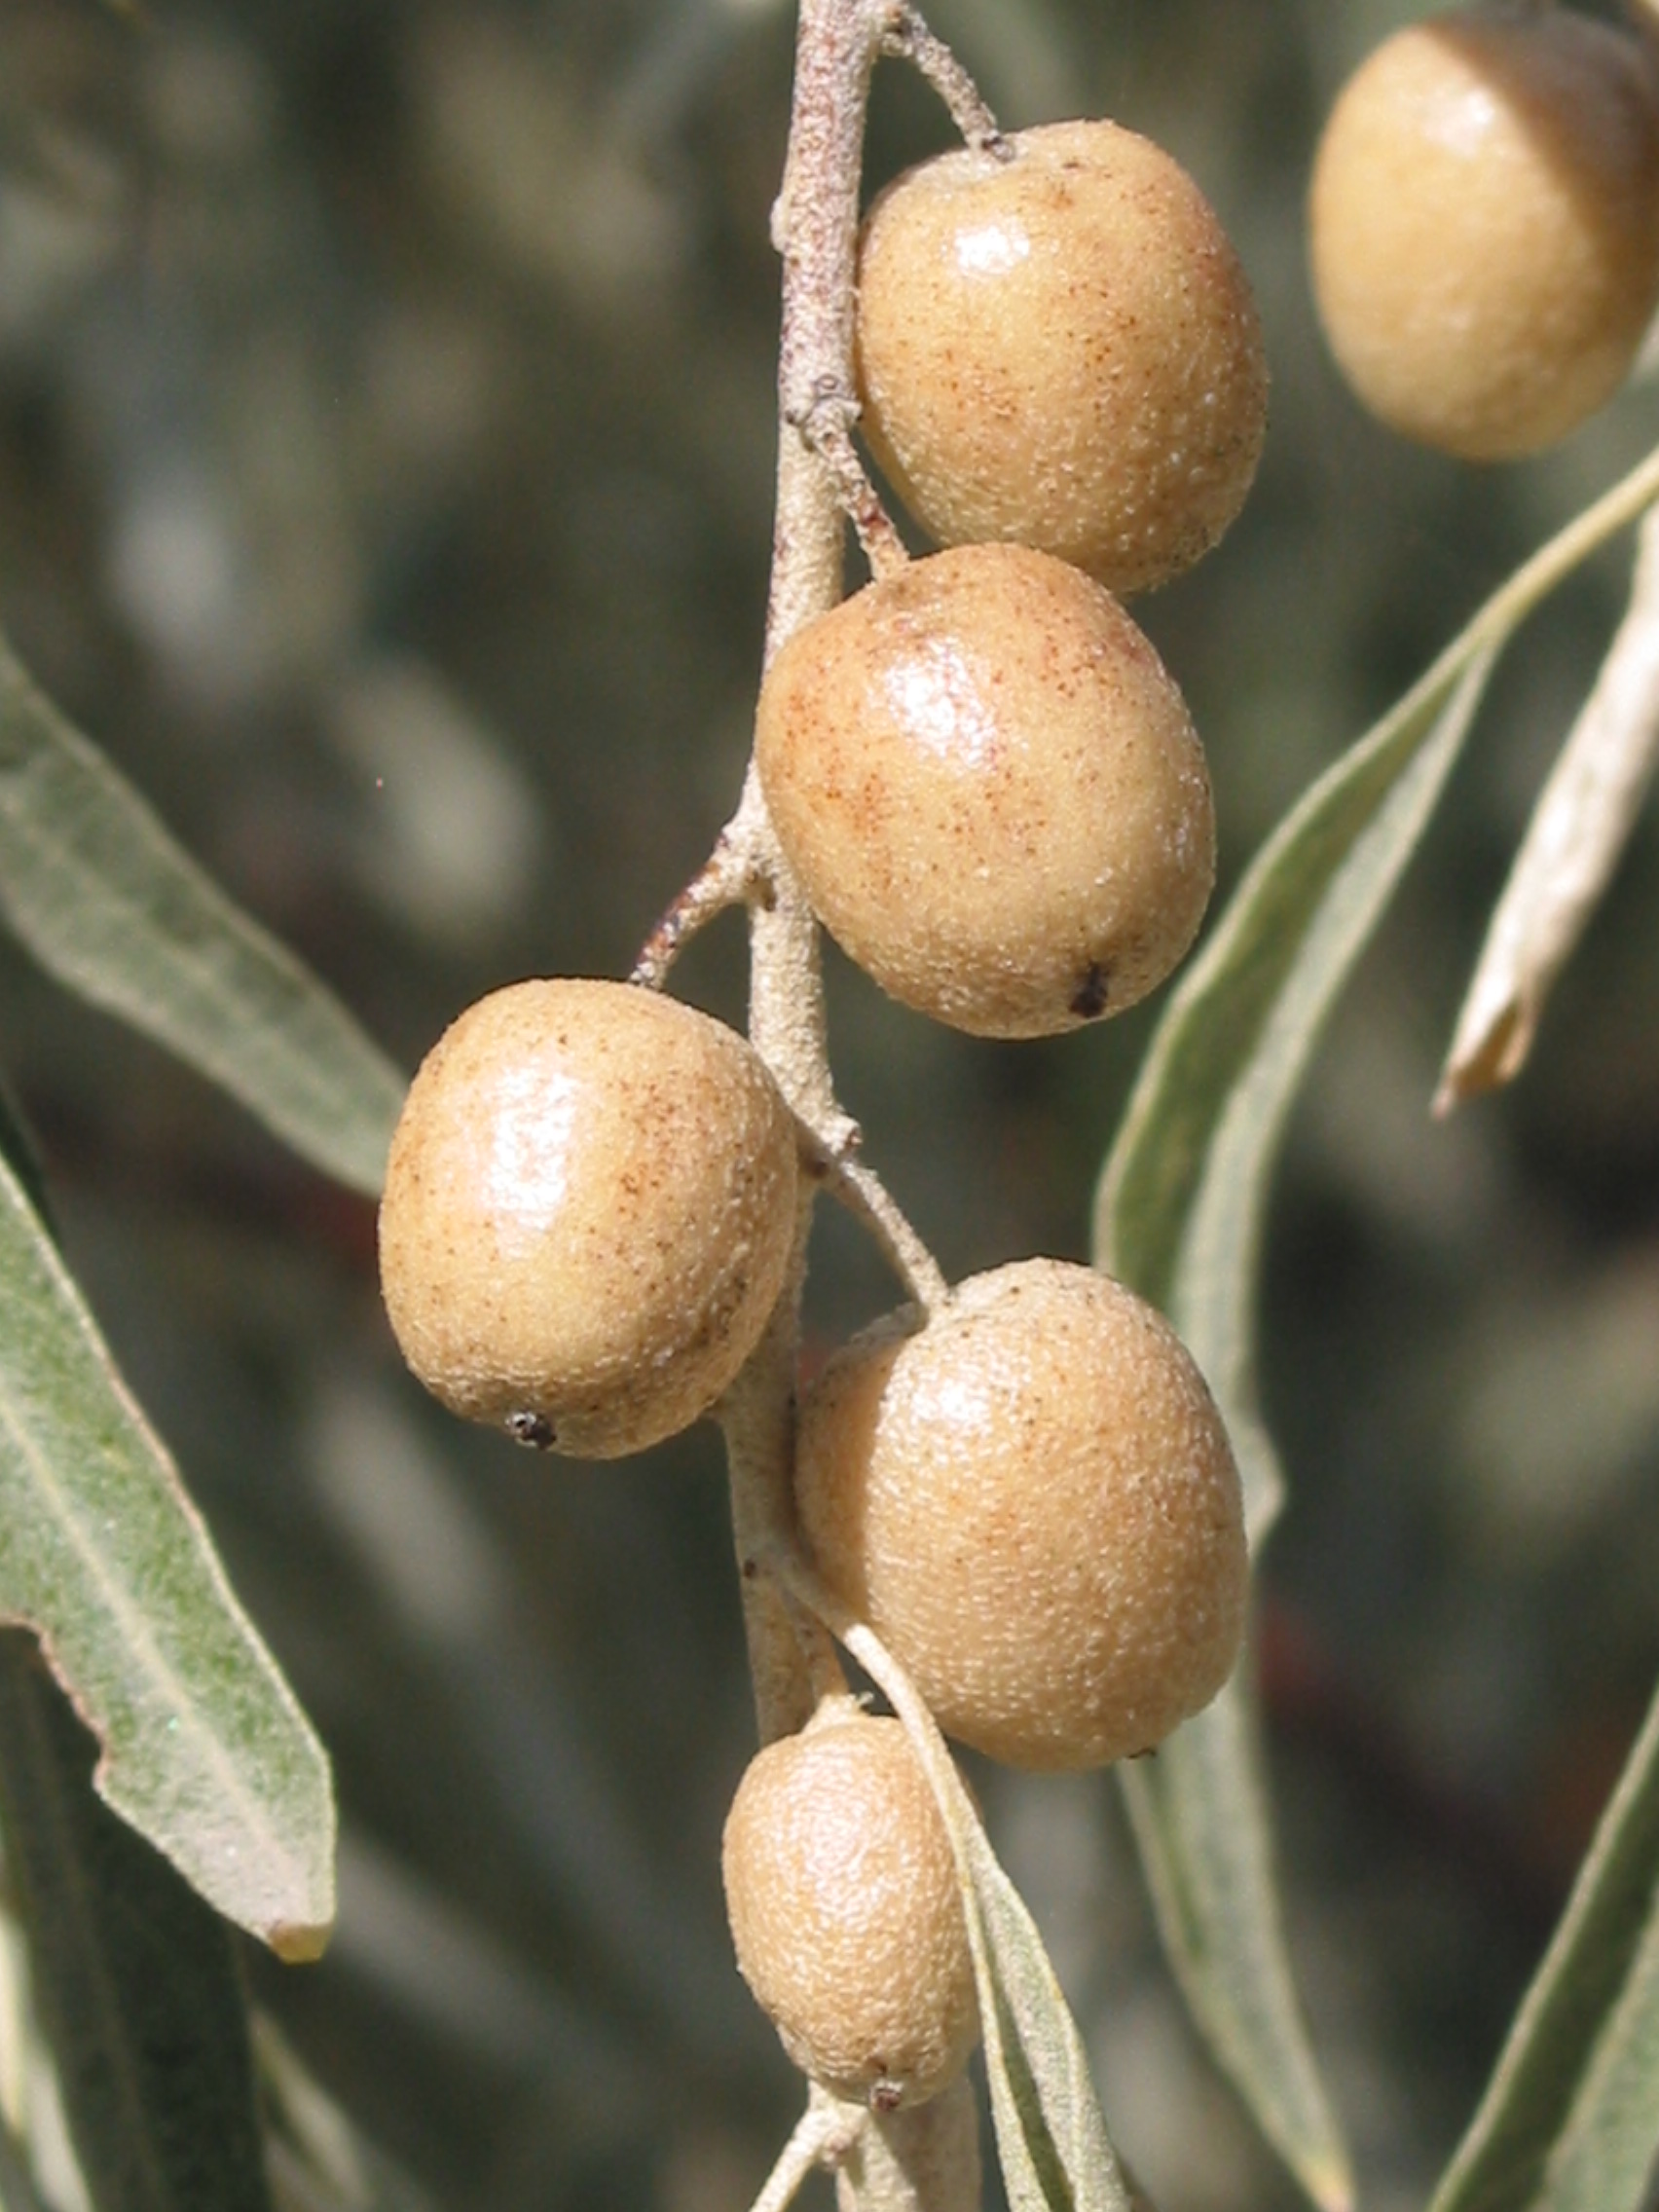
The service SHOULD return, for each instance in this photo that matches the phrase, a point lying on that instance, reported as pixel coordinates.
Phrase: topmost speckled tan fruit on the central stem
(1063, 351)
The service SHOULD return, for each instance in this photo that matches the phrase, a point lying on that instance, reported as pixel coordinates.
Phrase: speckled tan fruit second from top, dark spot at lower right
(992, 791)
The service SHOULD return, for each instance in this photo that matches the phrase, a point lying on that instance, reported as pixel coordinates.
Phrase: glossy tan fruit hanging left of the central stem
(587, 1213)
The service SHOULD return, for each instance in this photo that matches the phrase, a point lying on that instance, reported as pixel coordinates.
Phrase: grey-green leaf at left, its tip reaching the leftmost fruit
(114, 908)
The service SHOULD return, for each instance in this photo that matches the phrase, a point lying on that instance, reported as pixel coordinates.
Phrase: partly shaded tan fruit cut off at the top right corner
(1485, 227)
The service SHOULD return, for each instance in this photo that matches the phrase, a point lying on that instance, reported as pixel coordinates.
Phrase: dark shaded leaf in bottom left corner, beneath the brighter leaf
(134, 1976)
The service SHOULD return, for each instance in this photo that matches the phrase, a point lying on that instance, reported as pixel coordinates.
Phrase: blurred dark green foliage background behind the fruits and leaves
(386, 459)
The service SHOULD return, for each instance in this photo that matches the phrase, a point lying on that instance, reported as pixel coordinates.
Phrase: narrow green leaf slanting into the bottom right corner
(1572, 2116)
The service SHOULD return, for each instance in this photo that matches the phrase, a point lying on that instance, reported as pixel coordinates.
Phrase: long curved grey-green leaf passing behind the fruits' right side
(1180, 1220)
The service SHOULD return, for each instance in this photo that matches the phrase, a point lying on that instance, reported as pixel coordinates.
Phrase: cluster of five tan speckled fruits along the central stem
(994, 797)
